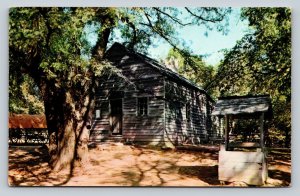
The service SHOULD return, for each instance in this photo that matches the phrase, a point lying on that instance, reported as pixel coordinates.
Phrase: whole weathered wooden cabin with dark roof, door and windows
(144, 101)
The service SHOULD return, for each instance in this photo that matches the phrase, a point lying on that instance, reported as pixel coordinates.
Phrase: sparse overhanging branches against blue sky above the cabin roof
(140, 27)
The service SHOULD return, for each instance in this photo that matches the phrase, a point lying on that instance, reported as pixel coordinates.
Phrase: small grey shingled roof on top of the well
(243, 105)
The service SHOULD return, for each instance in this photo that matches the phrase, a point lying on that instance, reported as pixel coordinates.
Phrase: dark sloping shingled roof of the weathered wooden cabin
(117, 51)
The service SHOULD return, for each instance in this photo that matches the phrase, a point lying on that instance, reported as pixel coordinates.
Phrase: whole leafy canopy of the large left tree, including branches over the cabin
(51, 44)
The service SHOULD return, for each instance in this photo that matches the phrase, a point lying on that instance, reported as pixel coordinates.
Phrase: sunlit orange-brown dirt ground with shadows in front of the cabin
(124, 165)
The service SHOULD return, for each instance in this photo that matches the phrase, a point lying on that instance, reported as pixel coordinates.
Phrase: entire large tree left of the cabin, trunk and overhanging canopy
(50, 46)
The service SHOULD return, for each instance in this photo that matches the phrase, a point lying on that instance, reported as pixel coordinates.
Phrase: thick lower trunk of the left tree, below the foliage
(66, 120)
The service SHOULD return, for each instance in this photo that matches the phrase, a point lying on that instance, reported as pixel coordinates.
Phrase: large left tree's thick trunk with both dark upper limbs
(68, 107)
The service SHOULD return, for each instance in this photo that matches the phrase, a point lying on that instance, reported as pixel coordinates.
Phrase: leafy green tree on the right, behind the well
(260, 63)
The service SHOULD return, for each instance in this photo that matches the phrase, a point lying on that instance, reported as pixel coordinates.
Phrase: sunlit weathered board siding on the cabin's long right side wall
(179, 129)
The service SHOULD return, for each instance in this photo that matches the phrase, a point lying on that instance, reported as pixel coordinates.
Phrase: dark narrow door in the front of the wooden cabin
(116, 116)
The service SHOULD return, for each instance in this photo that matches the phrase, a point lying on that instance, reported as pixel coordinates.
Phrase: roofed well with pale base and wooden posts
(243, 157)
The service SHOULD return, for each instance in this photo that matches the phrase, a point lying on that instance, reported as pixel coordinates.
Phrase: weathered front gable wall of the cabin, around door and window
(140, 81)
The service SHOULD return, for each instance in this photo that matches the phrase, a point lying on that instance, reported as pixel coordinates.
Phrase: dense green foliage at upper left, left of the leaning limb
(45, 45)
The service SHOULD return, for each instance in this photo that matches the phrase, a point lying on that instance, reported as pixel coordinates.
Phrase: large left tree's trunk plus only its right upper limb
(68, 111)
